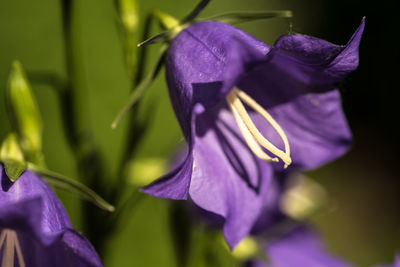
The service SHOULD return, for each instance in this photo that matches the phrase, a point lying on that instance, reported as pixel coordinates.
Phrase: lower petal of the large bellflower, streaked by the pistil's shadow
(227, 179)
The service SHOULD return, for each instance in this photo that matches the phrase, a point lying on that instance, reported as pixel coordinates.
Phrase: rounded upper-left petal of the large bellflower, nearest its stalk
(195, 65)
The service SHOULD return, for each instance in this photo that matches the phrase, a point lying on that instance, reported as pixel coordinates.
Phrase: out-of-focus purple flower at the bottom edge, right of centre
(299, 248)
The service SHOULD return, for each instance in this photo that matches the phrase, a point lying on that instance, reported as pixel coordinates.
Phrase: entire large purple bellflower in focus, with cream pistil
(293, 114)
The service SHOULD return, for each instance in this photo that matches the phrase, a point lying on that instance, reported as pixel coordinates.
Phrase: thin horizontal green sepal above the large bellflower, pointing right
(240, 17)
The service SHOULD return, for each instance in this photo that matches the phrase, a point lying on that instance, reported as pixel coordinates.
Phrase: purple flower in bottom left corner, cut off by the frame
(35, 229)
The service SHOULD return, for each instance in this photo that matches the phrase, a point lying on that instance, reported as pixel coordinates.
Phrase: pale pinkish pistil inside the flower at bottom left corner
(9, 239)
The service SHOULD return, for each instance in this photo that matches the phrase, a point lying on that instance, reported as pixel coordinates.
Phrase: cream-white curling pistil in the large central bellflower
(251, 134)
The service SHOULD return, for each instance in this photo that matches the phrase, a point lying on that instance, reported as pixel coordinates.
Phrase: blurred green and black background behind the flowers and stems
(364, 226)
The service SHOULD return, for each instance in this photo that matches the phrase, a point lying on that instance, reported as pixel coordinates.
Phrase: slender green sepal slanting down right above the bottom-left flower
(63, 182)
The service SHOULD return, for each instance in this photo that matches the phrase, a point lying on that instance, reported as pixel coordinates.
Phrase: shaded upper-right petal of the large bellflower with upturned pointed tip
(298, 65)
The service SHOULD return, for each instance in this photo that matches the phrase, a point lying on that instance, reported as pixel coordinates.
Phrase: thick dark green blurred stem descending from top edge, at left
(74, 101)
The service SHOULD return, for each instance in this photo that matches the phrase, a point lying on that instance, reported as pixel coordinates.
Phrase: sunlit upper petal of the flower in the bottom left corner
(29, 204)
